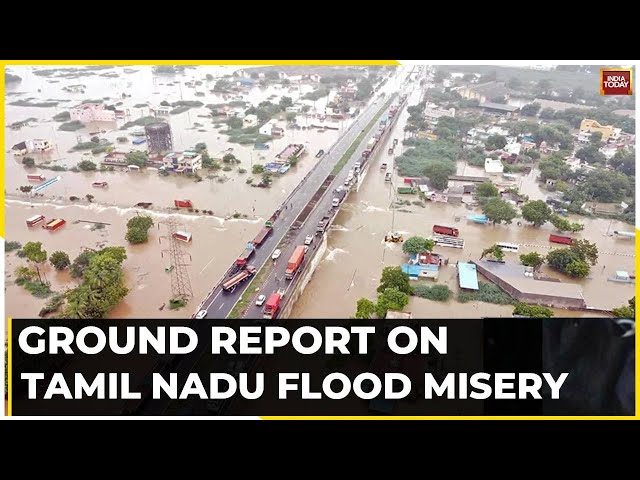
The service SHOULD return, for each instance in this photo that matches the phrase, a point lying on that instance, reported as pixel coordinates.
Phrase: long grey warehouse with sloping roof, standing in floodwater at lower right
(511, 278)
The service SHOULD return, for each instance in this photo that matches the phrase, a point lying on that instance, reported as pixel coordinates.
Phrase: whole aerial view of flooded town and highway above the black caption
(317, 192)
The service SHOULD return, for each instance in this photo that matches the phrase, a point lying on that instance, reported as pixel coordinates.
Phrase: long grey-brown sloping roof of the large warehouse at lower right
(514, 274)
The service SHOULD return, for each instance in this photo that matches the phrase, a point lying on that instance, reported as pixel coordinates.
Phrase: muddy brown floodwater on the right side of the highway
(356, 252)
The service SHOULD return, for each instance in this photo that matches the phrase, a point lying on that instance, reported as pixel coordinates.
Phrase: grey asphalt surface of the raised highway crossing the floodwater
(219, 303)
